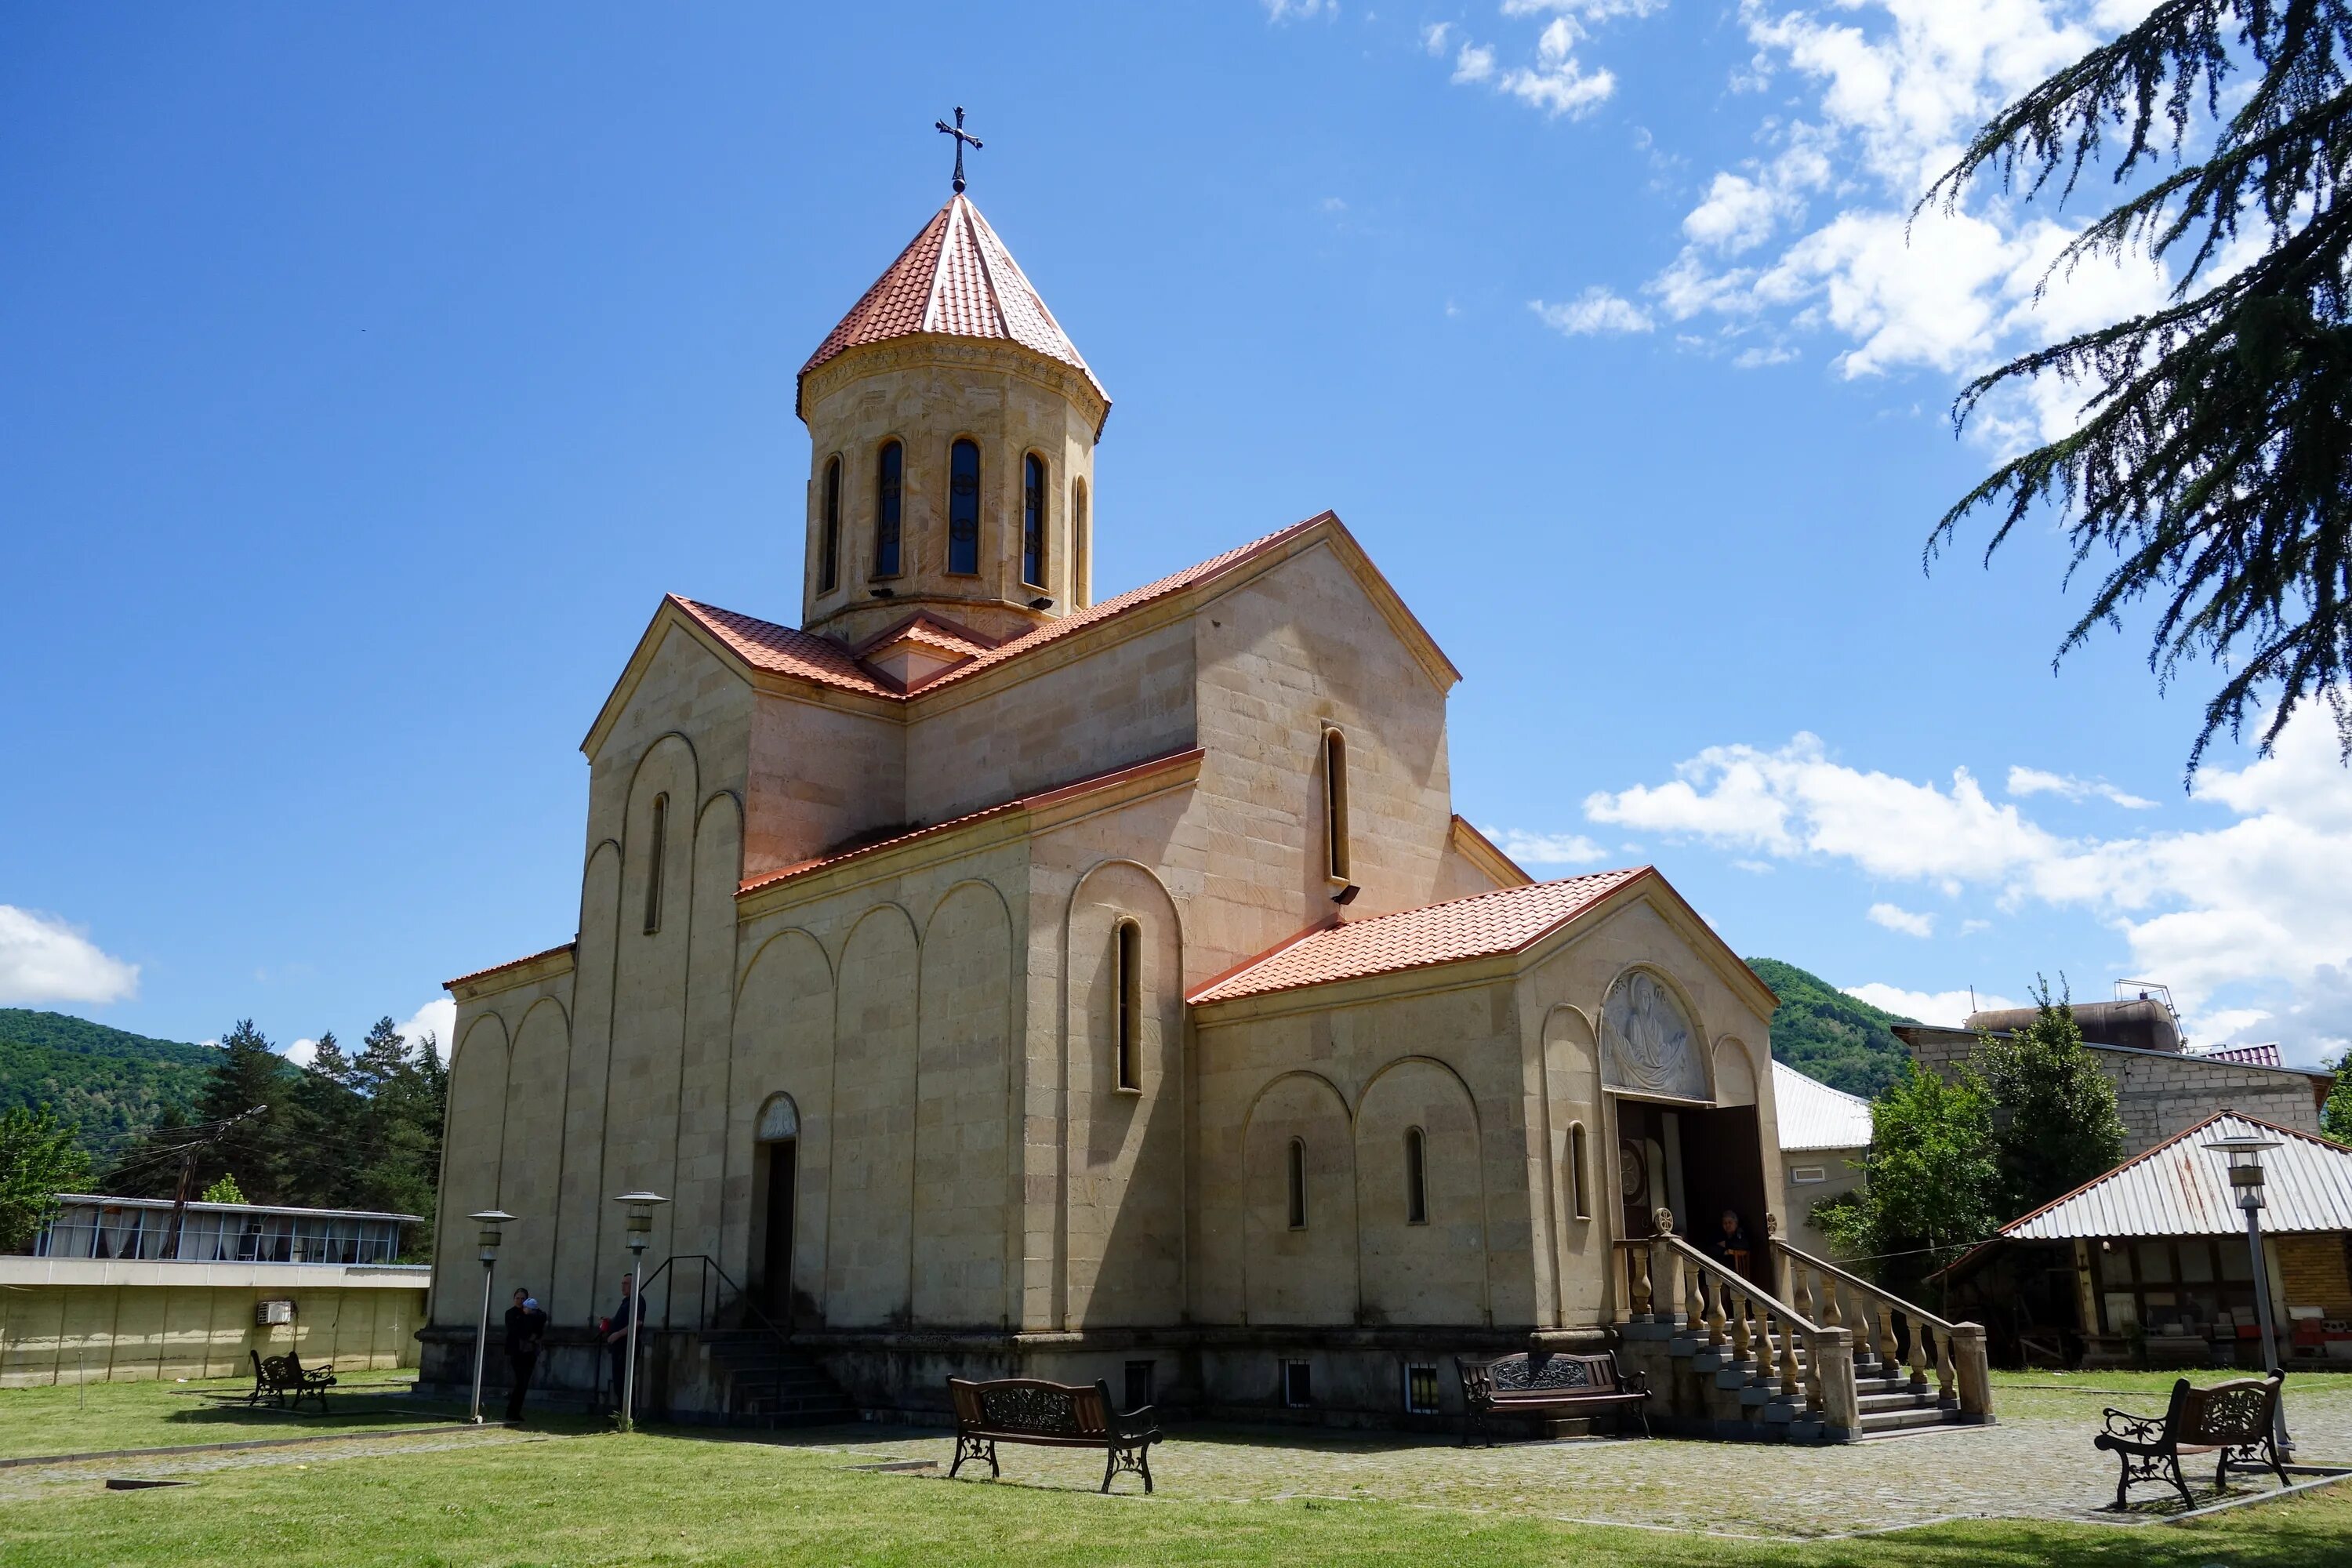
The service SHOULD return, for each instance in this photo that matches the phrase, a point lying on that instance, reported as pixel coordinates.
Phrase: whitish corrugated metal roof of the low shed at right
(2181, 1188)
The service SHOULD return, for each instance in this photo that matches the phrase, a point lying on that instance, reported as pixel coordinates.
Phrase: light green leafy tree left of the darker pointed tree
(1927, 1179)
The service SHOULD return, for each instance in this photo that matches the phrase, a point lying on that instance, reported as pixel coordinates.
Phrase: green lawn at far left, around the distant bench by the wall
(105, 1416)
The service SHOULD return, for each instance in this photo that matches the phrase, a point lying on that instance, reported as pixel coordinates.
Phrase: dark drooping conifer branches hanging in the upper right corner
(2212, 462)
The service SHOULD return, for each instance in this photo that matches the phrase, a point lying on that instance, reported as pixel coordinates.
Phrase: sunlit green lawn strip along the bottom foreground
(667, 1499)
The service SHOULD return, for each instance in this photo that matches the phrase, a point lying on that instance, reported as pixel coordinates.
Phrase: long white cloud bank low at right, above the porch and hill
(2254, 906)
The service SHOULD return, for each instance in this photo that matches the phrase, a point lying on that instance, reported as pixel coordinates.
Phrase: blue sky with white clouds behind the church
(366, 377)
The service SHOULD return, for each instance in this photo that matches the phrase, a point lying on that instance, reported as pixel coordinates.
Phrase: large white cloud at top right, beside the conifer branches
(1895, 88)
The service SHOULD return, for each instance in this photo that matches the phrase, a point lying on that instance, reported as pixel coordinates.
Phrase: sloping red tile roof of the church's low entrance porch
(1476, 927)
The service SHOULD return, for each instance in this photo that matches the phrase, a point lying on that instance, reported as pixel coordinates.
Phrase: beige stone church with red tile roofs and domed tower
(1005, 979)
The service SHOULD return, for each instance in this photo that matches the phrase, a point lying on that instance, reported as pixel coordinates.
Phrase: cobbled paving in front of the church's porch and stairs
(2038, 1463)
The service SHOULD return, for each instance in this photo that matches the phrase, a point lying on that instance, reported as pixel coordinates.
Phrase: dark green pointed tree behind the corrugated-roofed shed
(2054, 1120)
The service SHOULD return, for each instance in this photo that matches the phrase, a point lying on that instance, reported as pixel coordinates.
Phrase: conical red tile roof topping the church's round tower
(958, 281)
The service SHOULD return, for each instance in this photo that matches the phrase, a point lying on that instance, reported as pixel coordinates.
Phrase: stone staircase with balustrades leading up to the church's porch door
(1829, 1360)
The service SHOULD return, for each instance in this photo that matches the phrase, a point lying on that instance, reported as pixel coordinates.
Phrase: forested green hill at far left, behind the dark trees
(102, 1080)
